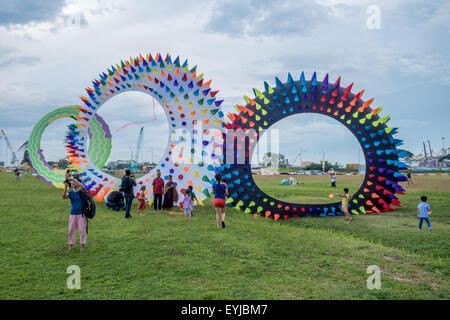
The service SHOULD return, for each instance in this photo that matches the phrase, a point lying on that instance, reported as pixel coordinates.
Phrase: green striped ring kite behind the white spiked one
(99, 147)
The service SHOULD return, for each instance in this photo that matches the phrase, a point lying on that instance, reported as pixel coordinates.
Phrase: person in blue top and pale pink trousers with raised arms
(76, 218)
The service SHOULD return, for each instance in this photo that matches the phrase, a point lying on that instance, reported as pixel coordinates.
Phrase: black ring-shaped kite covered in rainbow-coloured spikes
(377, 192)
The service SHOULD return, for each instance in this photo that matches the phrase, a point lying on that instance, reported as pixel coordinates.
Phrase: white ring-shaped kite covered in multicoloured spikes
(193, 112)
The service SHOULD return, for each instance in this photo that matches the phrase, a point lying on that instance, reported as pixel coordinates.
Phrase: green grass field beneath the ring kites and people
(158, 256)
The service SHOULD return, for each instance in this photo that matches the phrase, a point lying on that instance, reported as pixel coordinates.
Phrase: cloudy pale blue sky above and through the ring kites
(51, 50)
